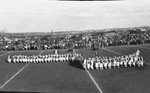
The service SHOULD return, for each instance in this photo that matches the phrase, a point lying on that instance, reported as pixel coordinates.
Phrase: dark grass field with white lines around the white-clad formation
(64, 78)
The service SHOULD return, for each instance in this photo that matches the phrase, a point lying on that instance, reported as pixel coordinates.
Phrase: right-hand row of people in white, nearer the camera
(113, 62)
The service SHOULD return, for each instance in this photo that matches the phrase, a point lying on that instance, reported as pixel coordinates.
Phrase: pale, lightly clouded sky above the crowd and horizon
(45, 15)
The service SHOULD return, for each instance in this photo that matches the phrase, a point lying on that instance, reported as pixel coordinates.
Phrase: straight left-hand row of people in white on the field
(41, 58)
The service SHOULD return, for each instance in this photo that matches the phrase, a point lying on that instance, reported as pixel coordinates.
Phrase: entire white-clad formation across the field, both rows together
(96, 62)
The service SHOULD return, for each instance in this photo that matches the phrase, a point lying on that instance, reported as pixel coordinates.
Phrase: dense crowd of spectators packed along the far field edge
(93, 40)
